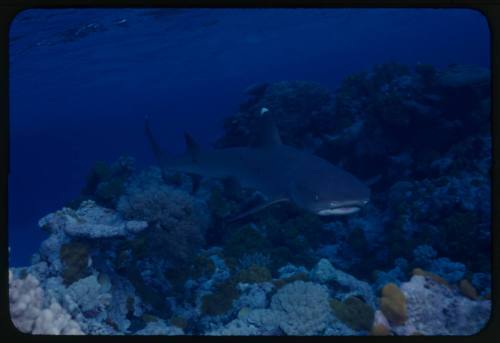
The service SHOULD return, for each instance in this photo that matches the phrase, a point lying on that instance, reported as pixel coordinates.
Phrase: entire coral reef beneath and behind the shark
(152, 253)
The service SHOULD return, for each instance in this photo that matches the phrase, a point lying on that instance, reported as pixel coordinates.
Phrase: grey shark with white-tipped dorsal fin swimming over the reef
(281, 172)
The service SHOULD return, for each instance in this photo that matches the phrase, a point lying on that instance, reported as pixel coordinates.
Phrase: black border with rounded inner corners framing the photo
(9, 9)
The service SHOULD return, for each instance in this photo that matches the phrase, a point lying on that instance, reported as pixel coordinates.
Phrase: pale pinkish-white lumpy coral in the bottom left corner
(32, 313)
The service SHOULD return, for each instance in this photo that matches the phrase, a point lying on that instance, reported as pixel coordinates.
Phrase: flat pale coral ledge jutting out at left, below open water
(90, 221)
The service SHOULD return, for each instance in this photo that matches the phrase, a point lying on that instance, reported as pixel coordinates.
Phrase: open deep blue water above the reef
(81, 81)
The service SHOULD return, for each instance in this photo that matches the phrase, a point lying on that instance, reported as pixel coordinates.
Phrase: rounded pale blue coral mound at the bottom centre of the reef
(305, 308)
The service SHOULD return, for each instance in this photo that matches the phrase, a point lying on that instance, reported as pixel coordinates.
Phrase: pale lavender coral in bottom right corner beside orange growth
(434, 309)
